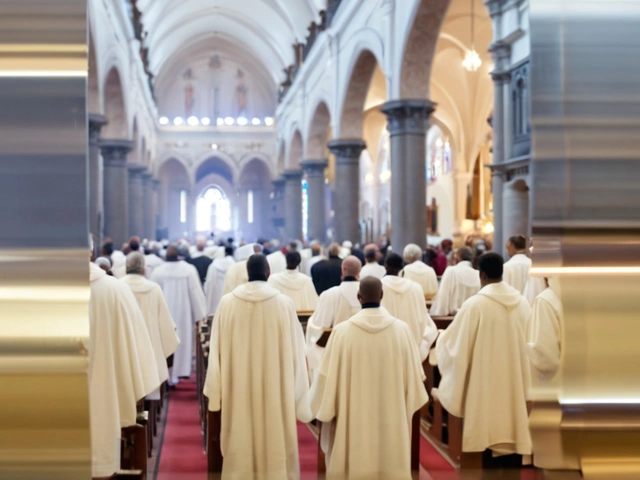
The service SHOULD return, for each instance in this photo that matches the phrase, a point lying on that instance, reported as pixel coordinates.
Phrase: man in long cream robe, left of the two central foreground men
(257, 375)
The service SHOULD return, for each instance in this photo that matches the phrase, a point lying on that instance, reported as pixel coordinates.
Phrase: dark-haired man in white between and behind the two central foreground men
(295, 285)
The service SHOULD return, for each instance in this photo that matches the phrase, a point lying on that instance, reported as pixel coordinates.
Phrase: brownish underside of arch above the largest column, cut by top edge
(420, 48)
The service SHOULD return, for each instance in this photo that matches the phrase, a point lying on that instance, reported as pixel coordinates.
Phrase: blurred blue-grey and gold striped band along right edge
(585, 83)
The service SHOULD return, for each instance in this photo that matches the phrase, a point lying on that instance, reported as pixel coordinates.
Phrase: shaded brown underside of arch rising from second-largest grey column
(351, 120)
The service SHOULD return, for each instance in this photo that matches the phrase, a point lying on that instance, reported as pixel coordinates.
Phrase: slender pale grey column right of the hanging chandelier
(500, 52)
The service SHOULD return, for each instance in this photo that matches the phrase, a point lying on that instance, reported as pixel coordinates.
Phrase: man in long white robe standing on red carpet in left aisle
(182, 289)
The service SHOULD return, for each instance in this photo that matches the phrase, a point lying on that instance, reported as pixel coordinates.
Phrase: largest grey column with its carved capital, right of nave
(408, 121)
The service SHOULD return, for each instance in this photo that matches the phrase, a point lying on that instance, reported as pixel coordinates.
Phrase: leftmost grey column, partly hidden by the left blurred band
(96, 209)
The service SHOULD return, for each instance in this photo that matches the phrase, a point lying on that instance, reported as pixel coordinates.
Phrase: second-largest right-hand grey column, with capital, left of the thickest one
(346, 203)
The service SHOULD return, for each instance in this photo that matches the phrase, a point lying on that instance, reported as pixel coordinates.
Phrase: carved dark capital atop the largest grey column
(410, 116)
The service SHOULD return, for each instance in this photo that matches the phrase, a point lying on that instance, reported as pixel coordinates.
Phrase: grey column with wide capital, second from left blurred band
(116, 189)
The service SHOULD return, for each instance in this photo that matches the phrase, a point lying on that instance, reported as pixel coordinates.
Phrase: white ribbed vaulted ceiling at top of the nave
(263, 30)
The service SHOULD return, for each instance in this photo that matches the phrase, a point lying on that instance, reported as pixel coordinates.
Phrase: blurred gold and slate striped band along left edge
(44, 253)
